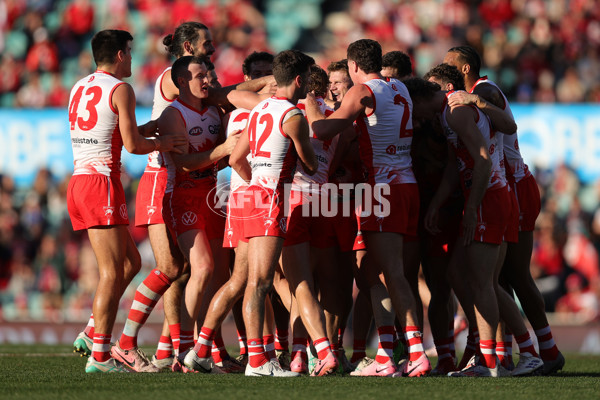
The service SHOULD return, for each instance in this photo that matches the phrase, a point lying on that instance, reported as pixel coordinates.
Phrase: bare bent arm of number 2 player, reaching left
(356, 101)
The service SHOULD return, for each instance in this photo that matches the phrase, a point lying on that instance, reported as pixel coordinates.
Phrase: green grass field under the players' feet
(53, 372)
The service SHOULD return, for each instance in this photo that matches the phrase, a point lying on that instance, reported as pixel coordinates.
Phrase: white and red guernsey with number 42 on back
(273, 152)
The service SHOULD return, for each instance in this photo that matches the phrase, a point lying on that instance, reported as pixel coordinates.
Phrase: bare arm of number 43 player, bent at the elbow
(123, 101)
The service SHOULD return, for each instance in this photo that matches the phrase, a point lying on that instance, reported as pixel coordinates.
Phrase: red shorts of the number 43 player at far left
(96, 200)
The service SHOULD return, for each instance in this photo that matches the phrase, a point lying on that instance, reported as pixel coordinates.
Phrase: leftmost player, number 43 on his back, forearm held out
(102, 120)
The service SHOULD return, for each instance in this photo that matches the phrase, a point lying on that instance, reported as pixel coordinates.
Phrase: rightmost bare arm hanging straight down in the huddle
(462, 121)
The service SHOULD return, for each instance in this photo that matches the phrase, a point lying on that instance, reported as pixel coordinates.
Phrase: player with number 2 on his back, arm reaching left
(382, 110)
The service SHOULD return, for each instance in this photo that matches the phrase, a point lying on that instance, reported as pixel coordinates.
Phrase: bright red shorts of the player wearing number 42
(264, 215)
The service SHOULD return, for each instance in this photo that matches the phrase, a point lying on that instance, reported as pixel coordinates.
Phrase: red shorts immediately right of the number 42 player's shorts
(304, 226)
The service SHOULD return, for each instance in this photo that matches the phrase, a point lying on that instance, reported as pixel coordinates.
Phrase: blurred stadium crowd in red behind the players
(537, 50)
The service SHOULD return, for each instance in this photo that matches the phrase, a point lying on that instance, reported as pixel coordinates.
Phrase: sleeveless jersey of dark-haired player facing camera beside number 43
(203, 128)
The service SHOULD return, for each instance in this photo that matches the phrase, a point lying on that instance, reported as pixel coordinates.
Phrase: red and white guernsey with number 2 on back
(386, 134)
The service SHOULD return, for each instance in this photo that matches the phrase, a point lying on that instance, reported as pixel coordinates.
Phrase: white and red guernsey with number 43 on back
(94, 125)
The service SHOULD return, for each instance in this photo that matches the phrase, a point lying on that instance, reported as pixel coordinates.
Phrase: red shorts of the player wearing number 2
(401, 215)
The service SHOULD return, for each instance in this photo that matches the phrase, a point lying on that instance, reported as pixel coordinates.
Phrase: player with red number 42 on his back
(277, 136)
